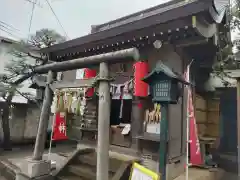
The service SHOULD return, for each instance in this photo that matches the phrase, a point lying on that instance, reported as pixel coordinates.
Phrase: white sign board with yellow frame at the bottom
(141, 173)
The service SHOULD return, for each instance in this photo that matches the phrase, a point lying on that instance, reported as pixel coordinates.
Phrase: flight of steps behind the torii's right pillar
(83, 166)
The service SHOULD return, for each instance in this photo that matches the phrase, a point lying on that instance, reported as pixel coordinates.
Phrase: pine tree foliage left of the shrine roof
(25, 54)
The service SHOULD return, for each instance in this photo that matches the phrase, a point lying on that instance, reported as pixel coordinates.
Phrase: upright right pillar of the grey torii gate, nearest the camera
(103, 123)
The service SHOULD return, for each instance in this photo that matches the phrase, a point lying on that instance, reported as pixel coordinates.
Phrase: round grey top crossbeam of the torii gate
(112, 57)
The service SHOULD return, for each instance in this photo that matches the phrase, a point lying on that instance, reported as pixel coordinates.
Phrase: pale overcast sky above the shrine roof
(76, 16)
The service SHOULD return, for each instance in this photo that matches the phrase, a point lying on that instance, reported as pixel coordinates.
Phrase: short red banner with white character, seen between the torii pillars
(60, 130)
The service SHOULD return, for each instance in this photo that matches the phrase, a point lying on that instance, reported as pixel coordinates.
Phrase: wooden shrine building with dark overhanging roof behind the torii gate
(171, 35)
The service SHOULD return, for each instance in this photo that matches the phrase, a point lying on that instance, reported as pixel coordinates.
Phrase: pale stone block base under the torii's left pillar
(34, 169)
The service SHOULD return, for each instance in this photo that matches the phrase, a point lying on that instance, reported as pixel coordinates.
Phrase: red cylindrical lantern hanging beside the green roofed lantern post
(140, 71)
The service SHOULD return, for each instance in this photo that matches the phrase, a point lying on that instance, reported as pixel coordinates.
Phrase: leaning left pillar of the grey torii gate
(43, 121)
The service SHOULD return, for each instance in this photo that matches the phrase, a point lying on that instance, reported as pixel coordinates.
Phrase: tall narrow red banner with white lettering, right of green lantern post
(195, 153)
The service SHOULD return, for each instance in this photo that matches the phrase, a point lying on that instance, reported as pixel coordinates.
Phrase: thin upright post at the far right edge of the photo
(238, 124)
